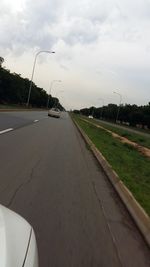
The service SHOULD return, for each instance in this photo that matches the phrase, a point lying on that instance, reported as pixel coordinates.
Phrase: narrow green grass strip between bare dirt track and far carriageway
(137, 138)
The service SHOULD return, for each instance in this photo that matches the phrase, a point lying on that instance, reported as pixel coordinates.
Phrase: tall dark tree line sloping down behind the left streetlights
(14, 90)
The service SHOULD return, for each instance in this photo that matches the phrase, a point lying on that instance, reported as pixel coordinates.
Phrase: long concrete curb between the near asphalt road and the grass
(140, 217)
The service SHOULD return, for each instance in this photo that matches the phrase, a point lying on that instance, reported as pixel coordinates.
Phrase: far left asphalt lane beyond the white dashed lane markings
(13, 120)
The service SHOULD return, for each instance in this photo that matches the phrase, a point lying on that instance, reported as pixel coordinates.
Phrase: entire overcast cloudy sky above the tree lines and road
(101, 46)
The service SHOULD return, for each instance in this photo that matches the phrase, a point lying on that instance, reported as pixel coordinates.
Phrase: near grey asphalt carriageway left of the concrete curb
(48, 175)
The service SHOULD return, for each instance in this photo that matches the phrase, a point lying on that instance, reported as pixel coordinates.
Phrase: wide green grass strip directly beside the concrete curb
(132, 168)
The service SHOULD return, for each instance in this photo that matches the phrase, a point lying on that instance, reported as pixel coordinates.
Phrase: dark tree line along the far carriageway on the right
(132, 115)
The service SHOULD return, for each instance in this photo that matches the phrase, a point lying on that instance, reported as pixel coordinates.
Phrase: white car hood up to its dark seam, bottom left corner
(14, 238)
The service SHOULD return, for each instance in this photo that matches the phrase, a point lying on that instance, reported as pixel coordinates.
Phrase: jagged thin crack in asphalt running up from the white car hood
(23, 184)
